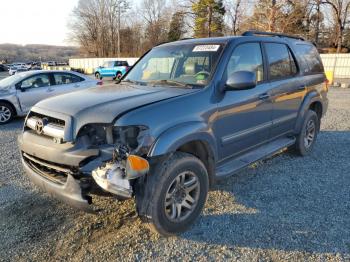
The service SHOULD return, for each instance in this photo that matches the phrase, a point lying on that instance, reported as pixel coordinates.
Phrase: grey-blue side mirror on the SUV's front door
(241, 80)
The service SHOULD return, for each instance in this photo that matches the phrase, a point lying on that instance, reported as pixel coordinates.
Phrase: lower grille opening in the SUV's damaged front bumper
(53, 172)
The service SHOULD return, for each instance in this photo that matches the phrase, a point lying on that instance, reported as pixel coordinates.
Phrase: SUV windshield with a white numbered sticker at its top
(177, 65)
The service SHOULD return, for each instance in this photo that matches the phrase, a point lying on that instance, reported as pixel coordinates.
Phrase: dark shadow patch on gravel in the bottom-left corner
(27, 218)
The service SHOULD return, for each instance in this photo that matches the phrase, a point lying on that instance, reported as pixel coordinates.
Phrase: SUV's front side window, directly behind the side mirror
(247, 57)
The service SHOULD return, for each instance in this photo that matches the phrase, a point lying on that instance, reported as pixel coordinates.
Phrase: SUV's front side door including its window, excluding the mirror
(244, 116)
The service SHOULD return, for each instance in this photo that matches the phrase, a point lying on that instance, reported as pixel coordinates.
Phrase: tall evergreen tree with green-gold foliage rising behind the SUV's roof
(209, 18)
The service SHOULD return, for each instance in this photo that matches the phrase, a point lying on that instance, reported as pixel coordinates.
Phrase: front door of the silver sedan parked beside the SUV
(34, 89)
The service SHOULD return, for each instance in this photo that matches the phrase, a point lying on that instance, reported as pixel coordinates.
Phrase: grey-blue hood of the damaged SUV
(104, 103)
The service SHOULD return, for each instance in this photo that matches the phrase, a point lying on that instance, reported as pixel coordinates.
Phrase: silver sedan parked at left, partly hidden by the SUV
(18, 93)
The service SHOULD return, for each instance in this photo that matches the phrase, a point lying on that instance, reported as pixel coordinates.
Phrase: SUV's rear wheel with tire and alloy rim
(305, 140)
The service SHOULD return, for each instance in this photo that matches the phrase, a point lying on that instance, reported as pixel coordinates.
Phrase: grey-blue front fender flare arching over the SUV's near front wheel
(176, 136)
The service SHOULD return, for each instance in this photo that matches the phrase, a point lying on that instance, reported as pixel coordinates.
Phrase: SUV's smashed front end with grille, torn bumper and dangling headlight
(102, 159)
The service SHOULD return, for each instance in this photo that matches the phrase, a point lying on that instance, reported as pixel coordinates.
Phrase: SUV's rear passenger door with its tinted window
(287, 87)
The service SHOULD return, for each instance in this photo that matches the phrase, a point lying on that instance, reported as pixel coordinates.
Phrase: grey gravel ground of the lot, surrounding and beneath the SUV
(284, 208)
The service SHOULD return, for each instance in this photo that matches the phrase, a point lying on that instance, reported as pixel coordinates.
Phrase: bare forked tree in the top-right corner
(340, 10)
